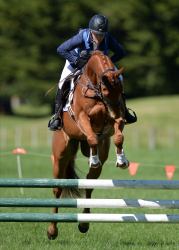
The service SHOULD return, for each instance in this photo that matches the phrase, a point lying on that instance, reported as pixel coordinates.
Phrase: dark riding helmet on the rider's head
(99, 24)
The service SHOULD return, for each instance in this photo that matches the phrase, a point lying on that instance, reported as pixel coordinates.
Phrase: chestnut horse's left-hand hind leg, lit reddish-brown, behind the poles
(62, 154)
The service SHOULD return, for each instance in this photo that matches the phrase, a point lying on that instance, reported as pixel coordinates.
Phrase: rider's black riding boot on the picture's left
(56, 121)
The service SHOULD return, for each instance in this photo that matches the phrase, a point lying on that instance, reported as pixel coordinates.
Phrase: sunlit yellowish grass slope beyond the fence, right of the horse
(160, 113)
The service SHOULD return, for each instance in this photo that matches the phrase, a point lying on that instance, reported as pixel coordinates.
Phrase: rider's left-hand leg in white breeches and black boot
(56, 120)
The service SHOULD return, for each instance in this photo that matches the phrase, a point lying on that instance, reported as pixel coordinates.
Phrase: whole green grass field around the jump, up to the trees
(37, 164)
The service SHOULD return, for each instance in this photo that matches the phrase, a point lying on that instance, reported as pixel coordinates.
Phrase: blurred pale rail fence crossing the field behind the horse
(35, 136)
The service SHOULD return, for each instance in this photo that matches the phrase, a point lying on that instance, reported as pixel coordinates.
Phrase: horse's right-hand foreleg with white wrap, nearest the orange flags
(118, 138)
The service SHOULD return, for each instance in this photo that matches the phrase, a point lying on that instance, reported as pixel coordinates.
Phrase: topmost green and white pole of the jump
(88, 184)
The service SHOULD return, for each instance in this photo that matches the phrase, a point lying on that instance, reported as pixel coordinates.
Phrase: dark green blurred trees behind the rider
(32, 30)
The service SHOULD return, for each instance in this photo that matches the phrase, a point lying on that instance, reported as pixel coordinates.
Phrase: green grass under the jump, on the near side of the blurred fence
(101, 235)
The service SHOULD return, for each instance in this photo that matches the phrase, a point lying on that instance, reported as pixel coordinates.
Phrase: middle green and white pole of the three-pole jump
(90, 203)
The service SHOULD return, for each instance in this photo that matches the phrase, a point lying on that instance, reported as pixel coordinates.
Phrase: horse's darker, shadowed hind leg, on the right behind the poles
(94, 173)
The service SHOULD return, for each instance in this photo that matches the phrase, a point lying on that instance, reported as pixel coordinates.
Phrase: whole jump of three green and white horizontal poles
(89, 203)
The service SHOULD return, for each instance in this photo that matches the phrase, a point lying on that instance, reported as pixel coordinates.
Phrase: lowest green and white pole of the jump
(125, 218)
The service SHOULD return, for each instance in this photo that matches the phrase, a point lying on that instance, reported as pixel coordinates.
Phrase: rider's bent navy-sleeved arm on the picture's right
(115, 47)
